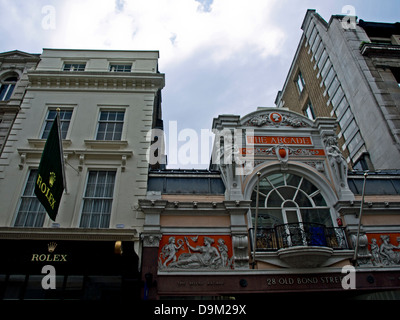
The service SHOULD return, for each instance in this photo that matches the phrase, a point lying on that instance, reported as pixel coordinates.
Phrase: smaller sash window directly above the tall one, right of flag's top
(110, 125)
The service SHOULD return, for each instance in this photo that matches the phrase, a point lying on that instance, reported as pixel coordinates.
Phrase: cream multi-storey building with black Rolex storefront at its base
(108, 101)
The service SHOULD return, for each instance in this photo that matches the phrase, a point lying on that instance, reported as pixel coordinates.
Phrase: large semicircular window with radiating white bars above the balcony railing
(287, 198)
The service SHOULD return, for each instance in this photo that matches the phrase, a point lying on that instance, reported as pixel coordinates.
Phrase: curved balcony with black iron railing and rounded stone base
(301, 245)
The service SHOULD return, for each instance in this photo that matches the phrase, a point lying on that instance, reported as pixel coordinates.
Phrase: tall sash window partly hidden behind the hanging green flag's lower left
(31, 213)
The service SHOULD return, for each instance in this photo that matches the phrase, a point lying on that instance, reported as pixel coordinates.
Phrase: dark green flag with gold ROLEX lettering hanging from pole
(50, 181)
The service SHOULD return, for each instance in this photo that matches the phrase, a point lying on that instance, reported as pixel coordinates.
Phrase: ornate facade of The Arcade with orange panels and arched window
(284, 176)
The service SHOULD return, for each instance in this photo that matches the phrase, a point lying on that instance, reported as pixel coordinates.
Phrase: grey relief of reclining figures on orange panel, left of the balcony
(192, 253)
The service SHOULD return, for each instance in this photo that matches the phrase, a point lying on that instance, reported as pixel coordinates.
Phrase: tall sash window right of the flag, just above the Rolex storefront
(97, 202)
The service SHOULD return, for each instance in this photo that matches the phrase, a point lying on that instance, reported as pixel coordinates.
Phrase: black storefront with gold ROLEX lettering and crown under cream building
(68, 269)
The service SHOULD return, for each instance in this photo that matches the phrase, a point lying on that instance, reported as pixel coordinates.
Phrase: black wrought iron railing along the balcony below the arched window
(299, 234)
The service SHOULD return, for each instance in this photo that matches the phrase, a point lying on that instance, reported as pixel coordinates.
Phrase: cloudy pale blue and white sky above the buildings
(218, 56)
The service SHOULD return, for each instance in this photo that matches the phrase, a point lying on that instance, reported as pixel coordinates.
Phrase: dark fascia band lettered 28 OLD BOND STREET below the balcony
(254, 285)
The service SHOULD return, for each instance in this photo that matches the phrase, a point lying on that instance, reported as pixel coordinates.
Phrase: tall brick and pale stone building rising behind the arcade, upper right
(350, 71)
